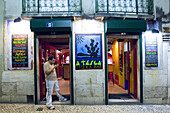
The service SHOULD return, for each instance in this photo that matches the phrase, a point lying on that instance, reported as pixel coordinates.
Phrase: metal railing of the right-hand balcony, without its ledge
(125, 6)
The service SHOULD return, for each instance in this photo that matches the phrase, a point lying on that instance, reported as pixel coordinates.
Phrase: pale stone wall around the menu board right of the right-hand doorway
(155, 81)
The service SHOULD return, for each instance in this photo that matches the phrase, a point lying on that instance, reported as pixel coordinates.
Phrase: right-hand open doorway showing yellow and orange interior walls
(123, 83)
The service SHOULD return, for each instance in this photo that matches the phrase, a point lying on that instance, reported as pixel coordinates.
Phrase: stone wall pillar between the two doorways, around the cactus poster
(89, 85)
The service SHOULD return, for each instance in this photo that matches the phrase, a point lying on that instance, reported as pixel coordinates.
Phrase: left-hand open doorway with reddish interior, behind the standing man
(59, 47)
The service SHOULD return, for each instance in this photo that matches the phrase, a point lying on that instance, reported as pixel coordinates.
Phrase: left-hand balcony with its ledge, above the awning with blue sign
(51, 8)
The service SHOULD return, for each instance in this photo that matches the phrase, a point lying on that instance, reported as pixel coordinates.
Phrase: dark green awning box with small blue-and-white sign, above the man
(51, 25)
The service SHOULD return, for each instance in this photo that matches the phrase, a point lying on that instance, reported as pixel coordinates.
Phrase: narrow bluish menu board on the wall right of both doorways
(151, 52)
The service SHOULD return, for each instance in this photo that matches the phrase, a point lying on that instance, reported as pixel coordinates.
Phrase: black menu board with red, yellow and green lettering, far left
(19, 51)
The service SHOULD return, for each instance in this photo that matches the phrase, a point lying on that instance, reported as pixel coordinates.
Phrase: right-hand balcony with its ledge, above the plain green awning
(125, 8)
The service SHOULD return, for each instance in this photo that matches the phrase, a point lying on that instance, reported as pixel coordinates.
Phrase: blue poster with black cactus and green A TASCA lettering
(88, 51)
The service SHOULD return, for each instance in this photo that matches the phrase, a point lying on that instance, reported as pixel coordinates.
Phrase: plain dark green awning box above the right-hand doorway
(127, 26)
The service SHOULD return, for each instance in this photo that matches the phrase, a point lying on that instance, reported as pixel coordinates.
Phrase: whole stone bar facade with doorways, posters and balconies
(94, 41)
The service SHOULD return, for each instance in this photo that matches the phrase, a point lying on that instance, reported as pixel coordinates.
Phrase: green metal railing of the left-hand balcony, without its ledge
(49, 6)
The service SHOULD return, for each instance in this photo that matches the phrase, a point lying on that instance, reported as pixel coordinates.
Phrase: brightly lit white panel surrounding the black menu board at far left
(19, 45)
